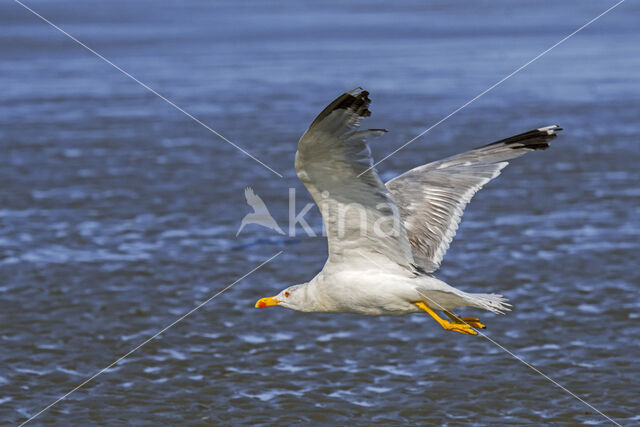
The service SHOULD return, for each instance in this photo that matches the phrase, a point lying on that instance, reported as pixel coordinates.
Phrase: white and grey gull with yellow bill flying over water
(386, 240)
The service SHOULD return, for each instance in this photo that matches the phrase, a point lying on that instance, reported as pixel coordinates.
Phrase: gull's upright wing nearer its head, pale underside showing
(359, 214)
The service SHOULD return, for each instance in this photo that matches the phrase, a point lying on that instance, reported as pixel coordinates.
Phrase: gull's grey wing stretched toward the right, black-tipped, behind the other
(432, 197)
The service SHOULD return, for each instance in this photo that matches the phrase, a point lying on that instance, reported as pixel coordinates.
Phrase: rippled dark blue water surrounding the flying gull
(118, 214)
